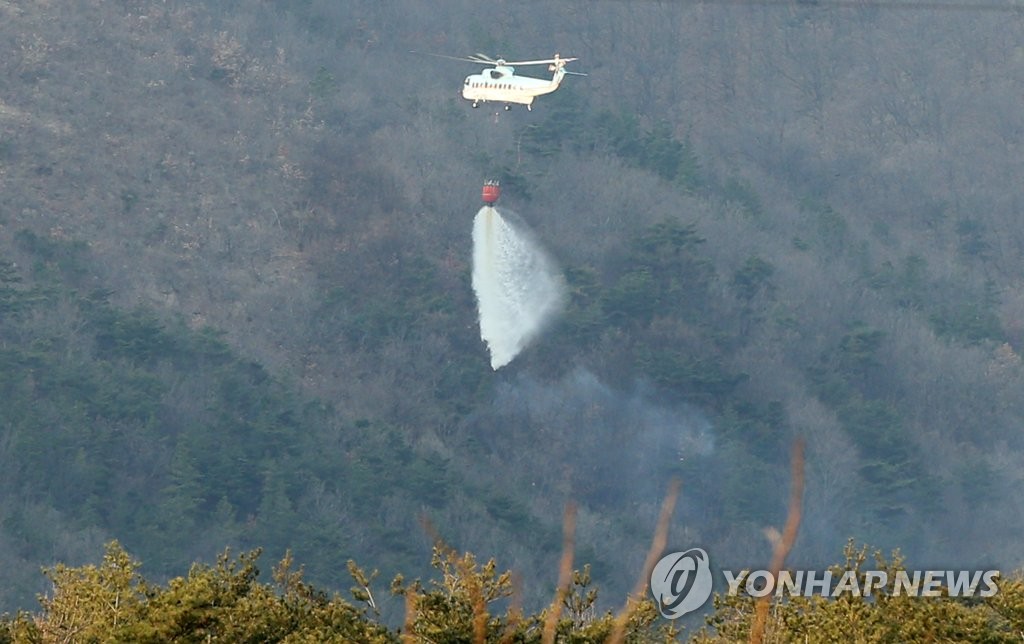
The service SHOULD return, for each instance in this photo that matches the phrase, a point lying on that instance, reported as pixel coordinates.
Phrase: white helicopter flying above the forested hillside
(500, 83)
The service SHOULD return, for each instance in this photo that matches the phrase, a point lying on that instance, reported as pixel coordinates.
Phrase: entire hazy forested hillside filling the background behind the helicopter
(236, 306)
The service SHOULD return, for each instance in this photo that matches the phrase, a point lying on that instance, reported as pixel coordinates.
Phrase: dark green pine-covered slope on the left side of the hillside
(122, 420)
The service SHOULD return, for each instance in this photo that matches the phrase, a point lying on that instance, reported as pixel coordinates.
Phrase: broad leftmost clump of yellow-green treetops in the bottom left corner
(113, 604)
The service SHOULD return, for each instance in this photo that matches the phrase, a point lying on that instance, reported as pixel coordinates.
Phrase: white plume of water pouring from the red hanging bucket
(519, 288)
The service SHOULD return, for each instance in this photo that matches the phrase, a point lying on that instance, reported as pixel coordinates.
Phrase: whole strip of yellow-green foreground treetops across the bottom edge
(473, 603)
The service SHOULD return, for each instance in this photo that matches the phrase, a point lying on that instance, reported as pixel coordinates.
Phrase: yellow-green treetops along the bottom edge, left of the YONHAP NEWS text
(226, 603)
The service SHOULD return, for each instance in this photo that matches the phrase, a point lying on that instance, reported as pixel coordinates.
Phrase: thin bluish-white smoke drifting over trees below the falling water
(615, 449)
